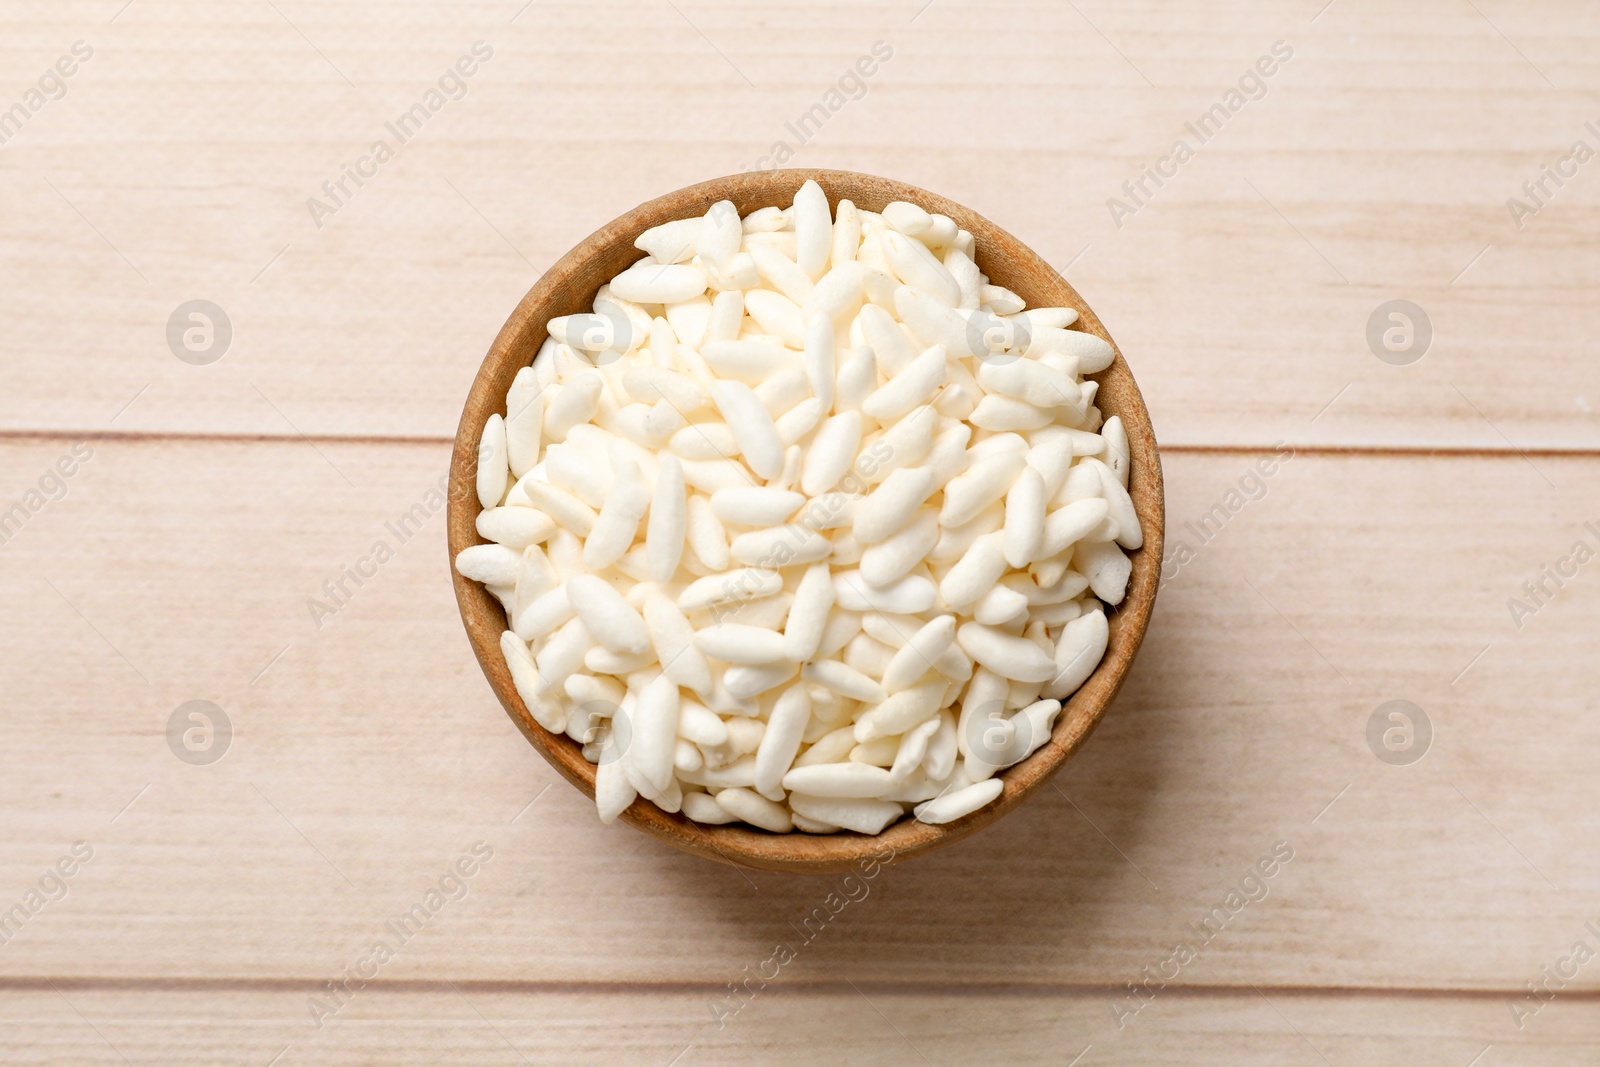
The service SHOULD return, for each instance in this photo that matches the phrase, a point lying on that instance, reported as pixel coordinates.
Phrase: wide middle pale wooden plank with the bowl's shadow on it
(369, 756)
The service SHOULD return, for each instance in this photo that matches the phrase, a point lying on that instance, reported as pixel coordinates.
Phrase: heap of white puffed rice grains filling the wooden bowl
(807, 526)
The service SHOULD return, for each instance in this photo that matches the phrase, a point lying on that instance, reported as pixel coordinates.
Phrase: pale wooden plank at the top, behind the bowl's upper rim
(1377, 167)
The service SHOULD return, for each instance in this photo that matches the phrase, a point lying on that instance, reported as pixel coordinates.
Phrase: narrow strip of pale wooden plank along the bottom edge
(866, 1025)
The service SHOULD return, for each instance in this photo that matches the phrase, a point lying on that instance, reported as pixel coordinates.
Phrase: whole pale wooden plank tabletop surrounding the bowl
(210, 502)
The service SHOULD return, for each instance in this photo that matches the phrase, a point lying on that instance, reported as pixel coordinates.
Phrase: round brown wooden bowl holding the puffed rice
(570, 287)
